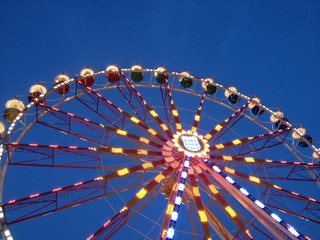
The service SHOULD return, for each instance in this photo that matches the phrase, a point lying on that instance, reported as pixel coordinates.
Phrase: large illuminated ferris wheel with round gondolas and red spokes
(152, 154)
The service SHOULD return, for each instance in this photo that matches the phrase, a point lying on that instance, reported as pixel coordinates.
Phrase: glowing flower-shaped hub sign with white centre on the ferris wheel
(191, 144)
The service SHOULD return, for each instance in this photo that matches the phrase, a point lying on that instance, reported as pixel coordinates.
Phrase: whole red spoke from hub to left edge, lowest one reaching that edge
(60, 198)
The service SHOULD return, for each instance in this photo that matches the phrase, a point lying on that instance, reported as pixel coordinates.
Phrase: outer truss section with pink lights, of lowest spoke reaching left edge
(41, 204)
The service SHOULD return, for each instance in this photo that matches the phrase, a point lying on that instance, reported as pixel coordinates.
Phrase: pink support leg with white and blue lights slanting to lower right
(261, 212)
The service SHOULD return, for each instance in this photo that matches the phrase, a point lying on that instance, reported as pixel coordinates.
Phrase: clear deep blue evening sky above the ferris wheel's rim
(266, 48)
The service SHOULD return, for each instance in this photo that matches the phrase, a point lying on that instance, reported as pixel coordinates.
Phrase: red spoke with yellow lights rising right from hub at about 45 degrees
(220, 129)
